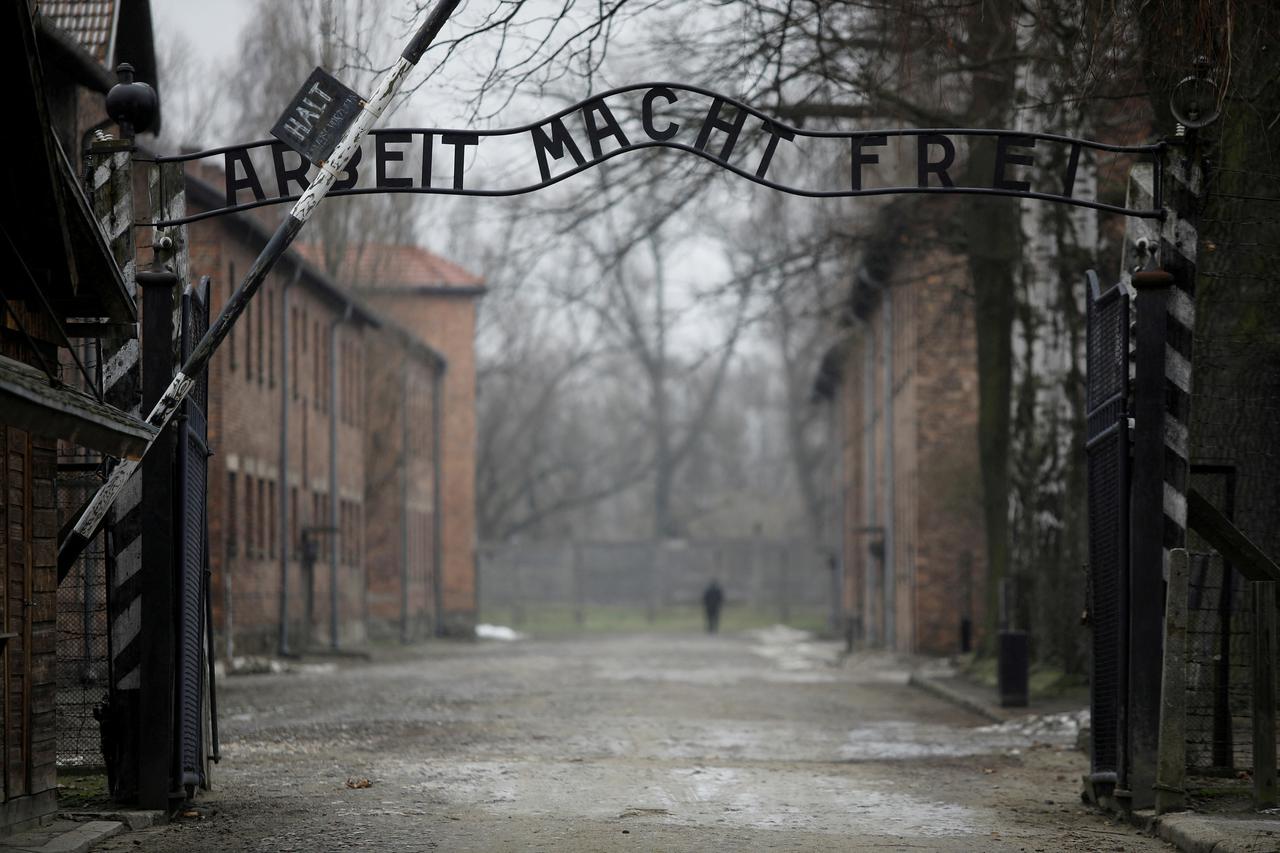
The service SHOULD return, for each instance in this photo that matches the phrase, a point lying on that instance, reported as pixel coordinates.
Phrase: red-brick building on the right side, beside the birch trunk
(903, 384)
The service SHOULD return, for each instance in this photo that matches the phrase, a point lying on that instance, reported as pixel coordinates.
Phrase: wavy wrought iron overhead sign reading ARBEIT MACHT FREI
(673, 116)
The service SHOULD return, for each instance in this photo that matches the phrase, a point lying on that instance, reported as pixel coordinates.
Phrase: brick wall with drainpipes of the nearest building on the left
(249, 531)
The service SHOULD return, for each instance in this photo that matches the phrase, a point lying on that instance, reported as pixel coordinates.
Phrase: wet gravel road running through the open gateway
(765, 741)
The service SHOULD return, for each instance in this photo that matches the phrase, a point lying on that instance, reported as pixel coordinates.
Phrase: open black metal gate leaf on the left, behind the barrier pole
(193, 548)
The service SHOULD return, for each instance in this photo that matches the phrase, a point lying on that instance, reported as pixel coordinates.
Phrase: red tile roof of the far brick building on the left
(391, 266)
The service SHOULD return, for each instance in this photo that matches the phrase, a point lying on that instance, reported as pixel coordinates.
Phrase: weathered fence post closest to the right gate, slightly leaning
(1172, 770)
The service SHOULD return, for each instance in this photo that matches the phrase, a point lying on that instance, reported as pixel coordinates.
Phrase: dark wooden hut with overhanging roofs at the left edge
(61, 270)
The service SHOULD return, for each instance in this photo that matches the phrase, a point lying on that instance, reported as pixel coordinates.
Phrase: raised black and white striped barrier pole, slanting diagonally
(331, 171)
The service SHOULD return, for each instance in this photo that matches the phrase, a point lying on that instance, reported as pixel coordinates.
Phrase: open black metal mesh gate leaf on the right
(1108, 458)
